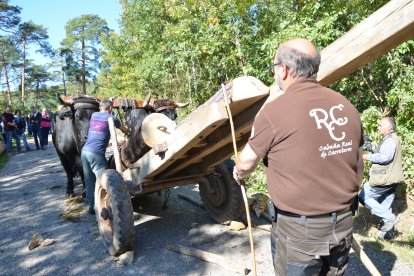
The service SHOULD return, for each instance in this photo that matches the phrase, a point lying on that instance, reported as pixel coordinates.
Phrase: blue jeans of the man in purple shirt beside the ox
(93, 164)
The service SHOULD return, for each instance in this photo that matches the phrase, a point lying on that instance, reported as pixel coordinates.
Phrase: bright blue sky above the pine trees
(54, 14)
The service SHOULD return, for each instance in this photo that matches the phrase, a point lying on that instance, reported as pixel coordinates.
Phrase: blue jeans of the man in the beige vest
(378, 200)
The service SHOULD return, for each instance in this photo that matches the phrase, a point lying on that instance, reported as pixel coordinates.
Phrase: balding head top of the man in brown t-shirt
(300, 56)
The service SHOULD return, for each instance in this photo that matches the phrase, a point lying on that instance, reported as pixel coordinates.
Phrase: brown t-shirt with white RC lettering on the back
(309, 138)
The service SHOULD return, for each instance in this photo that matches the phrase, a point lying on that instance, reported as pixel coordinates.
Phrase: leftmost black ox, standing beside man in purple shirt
(69, 136)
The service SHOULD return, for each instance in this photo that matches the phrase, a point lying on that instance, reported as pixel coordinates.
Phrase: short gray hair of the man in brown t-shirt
(299, 63)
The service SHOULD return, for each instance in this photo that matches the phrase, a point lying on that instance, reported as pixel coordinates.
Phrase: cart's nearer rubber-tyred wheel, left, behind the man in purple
(114, 213)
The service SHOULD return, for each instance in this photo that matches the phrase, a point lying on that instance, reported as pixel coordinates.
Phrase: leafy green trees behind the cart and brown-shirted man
(186, 49)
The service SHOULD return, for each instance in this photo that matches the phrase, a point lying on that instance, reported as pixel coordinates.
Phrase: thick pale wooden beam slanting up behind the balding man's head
(383, 30)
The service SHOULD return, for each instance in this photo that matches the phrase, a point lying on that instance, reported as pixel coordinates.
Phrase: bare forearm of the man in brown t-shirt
(245, 163)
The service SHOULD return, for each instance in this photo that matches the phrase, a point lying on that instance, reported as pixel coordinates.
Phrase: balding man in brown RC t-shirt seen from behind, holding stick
(310, 139)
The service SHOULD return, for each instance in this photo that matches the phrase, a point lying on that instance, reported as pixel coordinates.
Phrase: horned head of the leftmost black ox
(81, 109)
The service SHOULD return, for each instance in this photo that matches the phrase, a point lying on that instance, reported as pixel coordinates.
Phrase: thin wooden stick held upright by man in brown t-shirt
(241, 183)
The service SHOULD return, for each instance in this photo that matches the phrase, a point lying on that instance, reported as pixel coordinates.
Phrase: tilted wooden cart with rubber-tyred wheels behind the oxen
(192, 152)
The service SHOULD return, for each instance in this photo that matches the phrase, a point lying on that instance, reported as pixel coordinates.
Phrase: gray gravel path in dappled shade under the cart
(32, 196)
